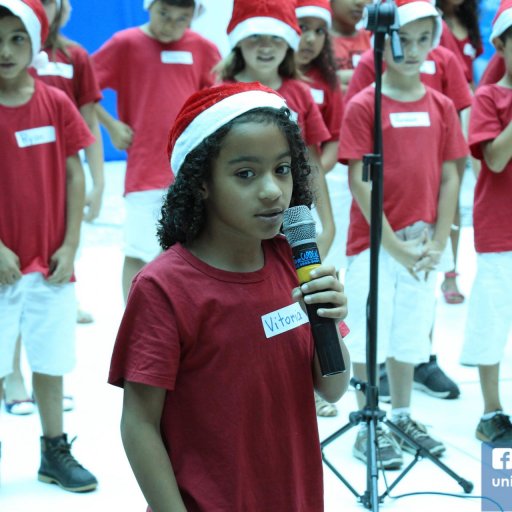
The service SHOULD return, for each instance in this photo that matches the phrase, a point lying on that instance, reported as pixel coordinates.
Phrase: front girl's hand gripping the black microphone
(324, 288)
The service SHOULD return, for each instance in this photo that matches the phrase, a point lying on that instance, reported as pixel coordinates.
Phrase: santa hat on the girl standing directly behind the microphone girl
(264, 17)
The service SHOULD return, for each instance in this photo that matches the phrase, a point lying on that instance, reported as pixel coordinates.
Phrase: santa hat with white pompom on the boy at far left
(33, 16)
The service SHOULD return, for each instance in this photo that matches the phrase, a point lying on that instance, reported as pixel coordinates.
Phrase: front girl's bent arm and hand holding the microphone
(325, 288)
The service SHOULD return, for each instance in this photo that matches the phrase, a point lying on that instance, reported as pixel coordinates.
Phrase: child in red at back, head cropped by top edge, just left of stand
(349, 41)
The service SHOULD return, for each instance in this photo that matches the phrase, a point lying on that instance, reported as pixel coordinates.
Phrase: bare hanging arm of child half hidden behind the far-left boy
(94, 154)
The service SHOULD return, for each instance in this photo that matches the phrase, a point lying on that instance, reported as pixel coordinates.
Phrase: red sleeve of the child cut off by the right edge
(484, 124)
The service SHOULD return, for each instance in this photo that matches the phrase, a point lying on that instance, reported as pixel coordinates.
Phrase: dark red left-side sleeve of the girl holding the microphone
(147, 348)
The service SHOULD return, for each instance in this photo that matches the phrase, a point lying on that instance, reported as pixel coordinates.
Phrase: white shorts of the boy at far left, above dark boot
(45, 316)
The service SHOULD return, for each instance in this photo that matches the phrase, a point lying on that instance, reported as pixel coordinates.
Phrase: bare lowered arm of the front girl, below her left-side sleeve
(142, 441)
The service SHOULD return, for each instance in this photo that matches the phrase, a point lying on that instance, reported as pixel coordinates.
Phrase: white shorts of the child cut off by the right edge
(489, 320)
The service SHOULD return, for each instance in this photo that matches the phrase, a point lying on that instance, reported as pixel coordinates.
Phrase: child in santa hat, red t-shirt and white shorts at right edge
(489, 321)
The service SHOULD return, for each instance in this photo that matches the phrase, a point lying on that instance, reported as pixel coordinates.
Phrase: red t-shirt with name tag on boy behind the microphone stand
(418, 136)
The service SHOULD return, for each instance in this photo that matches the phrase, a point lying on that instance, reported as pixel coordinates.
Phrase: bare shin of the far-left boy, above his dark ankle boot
(48, 393)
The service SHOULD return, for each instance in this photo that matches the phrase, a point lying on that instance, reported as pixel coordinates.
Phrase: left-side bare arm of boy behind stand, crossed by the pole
(407, 252)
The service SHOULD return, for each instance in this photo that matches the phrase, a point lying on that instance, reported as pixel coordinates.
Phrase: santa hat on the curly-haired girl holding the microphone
(209, 109)
